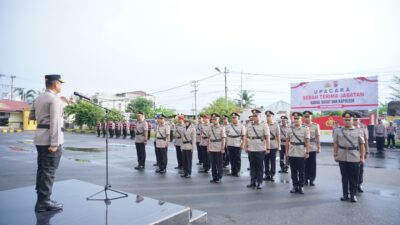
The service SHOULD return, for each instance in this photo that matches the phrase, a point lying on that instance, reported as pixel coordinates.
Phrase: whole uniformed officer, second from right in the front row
(297, 151)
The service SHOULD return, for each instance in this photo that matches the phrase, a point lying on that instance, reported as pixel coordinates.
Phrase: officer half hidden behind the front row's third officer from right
(270, 158)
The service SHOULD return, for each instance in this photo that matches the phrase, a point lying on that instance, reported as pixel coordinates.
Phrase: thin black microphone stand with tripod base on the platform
(107, 187)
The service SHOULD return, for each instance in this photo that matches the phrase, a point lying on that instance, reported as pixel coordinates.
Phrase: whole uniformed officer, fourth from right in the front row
(216, 147)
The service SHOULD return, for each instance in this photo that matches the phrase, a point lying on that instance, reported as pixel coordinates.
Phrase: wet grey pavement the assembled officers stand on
(227, 203)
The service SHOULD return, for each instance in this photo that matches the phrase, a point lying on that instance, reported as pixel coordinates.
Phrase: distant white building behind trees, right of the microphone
(119, 101)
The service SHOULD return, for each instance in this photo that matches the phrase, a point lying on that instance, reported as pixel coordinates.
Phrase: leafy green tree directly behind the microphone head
(85, 113)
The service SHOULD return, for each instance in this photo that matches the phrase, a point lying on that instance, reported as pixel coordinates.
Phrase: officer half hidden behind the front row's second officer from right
(311, 161)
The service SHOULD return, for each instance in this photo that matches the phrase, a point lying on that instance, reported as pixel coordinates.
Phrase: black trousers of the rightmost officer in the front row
(349, 171)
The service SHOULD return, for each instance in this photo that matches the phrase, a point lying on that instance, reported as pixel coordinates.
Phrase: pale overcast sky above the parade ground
(119, 46)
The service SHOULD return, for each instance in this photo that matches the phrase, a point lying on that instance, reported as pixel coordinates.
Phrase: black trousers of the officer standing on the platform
(47, 163)
